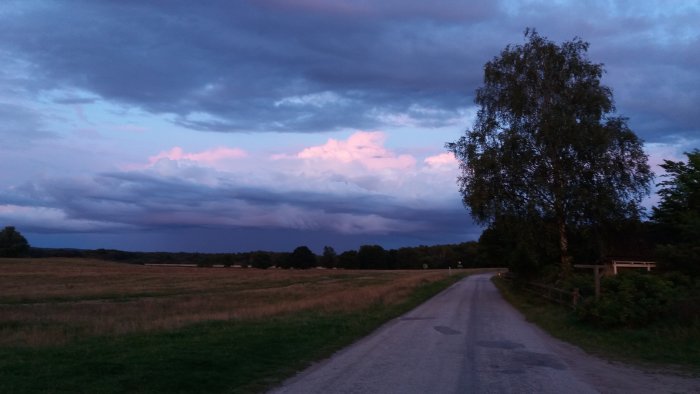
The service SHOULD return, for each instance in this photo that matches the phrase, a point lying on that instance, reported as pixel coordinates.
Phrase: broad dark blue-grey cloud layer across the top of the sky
(262, 65)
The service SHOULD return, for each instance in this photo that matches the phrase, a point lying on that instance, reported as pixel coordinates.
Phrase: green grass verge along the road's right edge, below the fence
(669, 343)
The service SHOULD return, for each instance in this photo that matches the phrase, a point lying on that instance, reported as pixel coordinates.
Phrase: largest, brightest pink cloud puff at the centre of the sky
(366, 148)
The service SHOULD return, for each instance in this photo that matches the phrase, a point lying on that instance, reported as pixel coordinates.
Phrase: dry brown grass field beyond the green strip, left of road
(55, 301)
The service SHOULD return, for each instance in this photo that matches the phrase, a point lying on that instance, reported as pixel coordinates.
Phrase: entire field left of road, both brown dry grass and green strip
(75, 325)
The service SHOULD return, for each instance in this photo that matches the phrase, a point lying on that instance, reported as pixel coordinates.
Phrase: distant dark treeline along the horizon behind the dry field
(465, 255)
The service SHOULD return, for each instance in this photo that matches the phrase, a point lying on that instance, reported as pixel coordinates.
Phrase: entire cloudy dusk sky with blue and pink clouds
(229, 126)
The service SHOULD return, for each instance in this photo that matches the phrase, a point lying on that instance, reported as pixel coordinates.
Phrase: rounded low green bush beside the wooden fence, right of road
(629, 300)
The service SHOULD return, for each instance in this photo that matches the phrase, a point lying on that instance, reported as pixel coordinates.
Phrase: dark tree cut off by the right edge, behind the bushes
(677, 218)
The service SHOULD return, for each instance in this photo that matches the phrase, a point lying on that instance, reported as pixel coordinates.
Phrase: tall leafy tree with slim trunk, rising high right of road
(546, 147)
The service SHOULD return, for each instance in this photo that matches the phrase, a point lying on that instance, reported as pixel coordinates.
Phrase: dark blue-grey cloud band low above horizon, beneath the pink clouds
(152, 203)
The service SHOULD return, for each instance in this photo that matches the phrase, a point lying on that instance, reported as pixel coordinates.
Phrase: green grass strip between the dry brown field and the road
(208, 357)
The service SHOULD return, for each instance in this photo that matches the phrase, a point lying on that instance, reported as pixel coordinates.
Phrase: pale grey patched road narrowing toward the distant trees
(468, 339)
